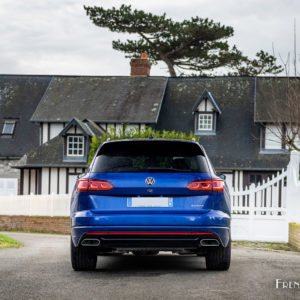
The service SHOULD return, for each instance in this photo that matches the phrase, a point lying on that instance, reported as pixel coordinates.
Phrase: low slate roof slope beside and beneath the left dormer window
(49, 154)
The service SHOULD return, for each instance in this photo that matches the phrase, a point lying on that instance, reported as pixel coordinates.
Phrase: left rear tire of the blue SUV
(82, 259)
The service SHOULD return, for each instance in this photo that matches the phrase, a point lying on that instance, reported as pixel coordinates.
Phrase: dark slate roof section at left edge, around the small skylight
(19, 96)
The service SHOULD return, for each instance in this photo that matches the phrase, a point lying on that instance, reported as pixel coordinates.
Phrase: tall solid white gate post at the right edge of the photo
(293, 188)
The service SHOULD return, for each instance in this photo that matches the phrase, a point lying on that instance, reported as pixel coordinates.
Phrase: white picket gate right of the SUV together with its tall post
(262, 212)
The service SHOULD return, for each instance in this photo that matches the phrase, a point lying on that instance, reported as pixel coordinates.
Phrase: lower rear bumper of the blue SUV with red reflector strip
(150, 237)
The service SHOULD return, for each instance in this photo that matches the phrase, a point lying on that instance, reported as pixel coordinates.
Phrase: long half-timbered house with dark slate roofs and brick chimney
(56, 116)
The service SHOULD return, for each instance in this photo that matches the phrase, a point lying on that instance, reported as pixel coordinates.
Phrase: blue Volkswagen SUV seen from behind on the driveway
(149, 195)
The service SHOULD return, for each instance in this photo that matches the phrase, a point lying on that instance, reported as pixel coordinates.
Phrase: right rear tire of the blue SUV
(219, 258)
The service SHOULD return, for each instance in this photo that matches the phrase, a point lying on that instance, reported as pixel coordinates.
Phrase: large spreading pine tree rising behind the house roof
(197, 45)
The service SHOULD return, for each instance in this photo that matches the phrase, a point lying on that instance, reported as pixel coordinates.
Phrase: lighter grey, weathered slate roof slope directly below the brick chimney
(105, 99)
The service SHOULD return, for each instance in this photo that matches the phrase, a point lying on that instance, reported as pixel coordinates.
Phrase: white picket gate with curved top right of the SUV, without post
(259, 212)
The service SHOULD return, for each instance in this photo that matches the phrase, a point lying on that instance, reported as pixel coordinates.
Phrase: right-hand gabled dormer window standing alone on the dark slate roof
(205, 113)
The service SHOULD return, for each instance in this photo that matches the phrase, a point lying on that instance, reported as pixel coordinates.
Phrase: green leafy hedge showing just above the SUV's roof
(135, 133)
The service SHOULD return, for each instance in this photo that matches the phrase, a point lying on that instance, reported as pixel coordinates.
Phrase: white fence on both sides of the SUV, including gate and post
(259, 213)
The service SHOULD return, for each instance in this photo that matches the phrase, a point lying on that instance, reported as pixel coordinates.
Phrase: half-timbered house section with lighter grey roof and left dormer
(73, 109)
